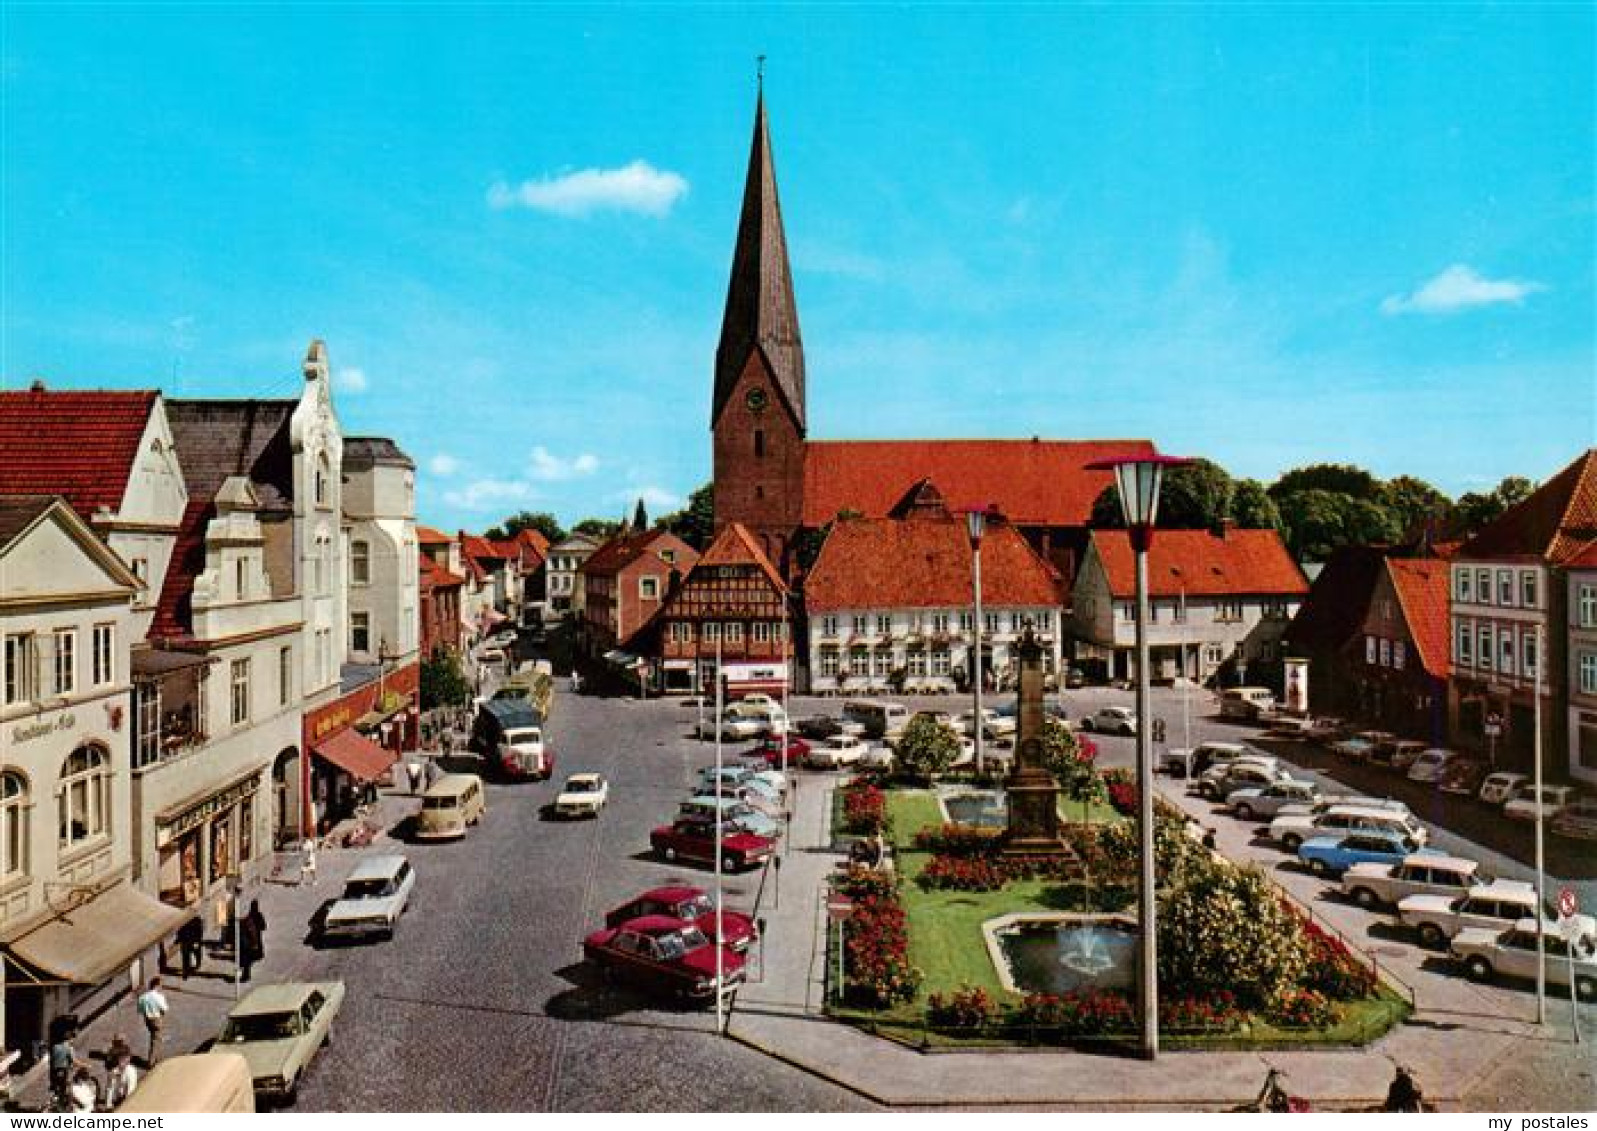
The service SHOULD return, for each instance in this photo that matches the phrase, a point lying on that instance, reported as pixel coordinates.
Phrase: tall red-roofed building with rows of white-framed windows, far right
(1510, 589)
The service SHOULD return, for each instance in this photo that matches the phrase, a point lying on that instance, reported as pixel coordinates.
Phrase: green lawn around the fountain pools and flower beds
(948, 945)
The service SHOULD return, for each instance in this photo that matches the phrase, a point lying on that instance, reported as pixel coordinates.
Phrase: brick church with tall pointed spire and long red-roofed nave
(779, 482)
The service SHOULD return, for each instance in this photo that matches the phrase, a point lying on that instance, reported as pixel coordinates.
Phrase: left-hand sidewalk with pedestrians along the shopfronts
(200, 1004)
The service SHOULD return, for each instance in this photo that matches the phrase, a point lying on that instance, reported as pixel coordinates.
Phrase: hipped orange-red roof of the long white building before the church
(925, 563)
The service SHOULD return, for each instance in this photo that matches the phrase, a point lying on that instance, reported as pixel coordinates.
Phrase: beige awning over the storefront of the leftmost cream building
(98, 939)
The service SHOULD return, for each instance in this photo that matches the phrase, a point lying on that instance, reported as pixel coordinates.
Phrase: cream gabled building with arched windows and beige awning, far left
(73, 921)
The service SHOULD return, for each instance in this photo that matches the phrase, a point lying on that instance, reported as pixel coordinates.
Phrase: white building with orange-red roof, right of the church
(1216, 598)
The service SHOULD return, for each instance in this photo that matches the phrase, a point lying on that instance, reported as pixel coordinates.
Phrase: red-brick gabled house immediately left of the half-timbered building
(627, 582)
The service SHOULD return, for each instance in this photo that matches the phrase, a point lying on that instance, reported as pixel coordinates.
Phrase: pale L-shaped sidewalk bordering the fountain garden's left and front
(782, 1017)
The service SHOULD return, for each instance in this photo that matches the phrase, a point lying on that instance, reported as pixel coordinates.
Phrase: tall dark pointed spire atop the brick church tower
(761, 312)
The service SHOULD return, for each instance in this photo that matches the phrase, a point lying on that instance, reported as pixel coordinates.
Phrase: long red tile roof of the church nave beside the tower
(1034, 482)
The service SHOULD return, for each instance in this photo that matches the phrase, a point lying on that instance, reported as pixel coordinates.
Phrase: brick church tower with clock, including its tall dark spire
(758, 415)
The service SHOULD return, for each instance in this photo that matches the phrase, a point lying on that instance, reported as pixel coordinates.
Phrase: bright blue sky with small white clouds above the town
(1264, 236)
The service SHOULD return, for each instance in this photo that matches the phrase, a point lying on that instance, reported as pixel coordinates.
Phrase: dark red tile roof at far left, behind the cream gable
(73, 443)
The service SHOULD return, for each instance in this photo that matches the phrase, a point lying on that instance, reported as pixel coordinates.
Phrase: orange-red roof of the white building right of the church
(1202, 563)
